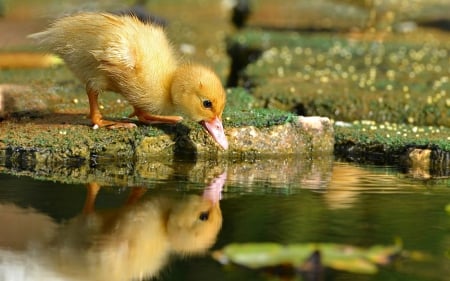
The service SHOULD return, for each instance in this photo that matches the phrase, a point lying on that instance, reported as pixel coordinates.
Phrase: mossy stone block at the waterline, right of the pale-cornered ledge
(424, 151)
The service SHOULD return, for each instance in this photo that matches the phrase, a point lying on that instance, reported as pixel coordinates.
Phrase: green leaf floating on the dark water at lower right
(337, 256)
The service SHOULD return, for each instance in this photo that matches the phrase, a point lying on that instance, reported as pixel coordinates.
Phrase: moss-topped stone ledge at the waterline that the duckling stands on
(54, 138)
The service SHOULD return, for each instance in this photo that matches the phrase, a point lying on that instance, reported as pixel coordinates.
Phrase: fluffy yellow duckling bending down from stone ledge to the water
(123, 55)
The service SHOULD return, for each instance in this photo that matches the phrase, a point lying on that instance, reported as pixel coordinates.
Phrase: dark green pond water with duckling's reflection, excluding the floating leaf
(50, 231)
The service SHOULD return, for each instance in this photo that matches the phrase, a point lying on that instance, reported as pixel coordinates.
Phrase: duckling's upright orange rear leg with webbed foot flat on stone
(96, 115)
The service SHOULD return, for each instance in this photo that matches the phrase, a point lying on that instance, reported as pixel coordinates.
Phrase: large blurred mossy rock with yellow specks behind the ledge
(333, 75)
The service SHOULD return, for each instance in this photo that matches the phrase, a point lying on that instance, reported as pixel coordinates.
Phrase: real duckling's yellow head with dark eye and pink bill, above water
(197, 93)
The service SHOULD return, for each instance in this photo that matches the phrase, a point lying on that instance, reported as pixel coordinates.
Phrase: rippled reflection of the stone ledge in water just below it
(280, 171)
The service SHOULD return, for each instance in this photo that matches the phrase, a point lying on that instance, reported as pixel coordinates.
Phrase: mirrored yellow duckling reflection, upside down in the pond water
(135, 241)
